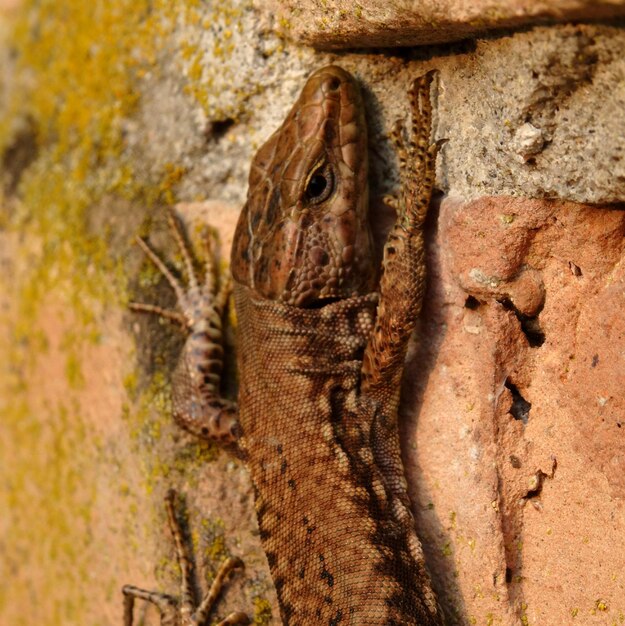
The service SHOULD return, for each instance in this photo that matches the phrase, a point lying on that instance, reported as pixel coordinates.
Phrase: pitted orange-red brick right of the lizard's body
(520, 436)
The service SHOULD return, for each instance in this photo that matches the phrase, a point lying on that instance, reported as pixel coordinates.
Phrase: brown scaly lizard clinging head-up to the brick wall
(322, 337)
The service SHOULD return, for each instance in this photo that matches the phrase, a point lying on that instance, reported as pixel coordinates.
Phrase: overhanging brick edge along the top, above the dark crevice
(344, 24)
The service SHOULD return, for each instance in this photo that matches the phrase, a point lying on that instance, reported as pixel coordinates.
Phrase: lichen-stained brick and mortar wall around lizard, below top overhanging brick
(520, 506)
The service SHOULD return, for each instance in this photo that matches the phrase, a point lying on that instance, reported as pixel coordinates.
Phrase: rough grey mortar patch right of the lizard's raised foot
(538, 114)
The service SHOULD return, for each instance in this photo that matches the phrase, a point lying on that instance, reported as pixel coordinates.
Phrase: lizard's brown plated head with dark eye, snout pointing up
(303, 236)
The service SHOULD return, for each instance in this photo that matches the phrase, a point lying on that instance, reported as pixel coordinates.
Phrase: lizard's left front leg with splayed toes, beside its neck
(197, 404)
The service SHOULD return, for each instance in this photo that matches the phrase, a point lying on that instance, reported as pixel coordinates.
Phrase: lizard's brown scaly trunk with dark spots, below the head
(336, 552)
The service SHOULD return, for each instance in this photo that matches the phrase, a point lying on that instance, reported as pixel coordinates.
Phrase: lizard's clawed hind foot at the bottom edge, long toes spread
(184, 612)
